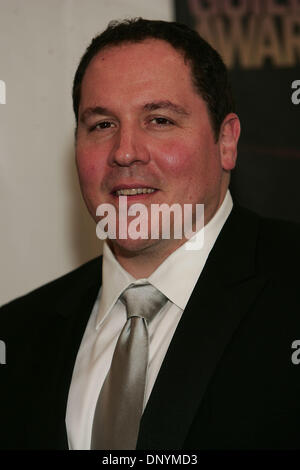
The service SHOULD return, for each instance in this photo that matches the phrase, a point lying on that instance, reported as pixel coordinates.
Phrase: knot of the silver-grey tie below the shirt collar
(143, 300)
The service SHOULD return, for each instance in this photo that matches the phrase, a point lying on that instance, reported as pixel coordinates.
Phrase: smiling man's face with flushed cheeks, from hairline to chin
(143, 125)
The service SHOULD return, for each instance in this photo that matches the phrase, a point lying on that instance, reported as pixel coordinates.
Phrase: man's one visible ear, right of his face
(228, 139)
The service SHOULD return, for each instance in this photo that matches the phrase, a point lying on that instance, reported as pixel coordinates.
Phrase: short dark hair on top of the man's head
(209, 73)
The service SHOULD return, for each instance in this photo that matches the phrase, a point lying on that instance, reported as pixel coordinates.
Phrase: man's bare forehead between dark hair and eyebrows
(151, 69)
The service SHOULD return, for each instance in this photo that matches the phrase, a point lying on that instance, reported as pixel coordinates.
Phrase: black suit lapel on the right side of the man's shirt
(222, 296)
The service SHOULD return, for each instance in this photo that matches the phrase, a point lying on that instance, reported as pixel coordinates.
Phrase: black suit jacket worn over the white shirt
(227, 381)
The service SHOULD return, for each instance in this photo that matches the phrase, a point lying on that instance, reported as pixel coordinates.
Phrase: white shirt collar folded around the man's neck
(176, 277)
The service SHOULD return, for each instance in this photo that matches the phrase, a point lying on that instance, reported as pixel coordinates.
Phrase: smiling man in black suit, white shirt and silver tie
(155, 122)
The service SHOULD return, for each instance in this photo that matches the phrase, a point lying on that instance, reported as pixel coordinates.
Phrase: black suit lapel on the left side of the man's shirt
(54, 368)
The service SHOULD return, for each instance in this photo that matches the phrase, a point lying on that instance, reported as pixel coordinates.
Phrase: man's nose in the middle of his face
(129, 147)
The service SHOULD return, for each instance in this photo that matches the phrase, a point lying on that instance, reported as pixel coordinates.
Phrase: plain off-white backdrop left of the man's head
(45, 228)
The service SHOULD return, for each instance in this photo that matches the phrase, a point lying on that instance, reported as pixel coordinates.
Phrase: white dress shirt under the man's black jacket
(175, 278)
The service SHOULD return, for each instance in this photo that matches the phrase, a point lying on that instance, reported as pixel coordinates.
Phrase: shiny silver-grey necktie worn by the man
(120, 404)
